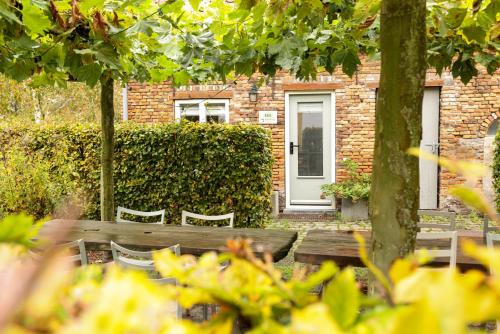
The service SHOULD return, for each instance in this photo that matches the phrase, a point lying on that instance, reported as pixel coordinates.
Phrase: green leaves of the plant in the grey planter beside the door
(355, 187)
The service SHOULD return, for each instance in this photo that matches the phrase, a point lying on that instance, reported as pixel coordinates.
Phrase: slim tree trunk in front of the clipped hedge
(107, 133)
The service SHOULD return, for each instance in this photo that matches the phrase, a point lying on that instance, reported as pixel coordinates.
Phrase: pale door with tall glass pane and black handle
(309, 148)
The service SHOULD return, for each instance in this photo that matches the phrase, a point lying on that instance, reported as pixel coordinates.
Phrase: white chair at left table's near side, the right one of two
(128, 258)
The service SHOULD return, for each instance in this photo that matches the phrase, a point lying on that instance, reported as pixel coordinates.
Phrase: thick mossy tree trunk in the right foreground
(398, 126)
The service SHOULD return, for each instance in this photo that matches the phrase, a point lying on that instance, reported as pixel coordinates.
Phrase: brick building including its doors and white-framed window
(333, 118)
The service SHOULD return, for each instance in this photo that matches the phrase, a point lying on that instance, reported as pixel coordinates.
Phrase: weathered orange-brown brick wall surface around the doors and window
(465, 113)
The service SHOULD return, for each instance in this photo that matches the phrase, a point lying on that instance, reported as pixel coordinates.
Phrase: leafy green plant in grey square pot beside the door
(353, 192)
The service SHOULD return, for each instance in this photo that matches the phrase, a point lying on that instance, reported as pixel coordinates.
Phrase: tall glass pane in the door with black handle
(310, 138)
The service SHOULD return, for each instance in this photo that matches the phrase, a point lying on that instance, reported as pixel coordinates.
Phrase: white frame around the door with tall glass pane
(287, 141)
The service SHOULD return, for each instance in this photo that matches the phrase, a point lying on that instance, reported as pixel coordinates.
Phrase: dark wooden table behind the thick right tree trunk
(341, 247)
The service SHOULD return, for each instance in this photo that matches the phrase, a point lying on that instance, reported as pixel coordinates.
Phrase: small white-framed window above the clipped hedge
(203, 110)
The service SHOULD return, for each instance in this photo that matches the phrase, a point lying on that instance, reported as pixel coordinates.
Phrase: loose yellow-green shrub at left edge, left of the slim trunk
(32, 184)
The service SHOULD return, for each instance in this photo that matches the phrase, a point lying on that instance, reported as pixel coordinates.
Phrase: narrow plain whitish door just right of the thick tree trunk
(429, 143)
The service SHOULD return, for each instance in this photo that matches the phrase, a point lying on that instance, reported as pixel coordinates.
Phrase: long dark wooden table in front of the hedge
(194, 240)
